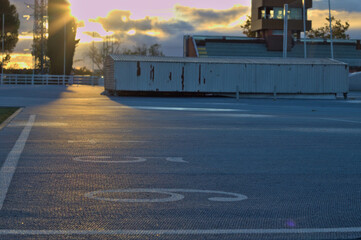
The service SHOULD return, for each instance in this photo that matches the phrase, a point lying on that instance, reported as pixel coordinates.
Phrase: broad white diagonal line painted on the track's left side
(8, 169)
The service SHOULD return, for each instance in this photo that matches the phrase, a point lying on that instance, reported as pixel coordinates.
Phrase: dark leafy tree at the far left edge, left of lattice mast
(12, 24)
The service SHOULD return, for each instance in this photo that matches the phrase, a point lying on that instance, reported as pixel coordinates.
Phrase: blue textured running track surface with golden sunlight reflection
(95, 167)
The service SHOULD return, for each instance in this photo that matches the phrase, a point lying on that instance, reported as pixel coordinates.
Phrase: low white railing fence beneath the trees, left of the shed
(30, 79)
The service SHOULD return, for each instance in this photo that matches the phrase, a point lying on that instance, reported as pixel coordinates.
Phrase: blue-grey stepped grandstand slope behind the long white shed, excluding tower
(223, 46)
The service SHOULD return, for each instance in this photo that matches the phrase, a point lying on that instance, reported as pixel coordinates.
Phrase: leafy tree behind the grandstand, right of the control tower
(338, 30)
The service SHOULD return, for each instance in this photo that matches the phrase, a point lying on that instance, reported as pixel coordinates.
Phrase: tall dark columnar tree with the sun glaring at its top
(60, 20)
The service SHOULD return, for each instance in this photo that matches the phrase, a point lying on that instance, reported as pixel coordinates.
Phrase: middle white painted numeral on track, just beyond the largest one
(103, 159)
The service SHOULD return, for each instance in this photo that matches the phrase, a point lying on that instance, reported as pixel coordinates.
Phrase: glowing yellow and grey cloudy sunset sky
(165, 22)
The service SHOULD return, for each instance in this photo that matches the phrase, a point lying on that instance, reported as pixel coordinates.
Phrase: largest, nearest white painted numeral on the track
(173, 195)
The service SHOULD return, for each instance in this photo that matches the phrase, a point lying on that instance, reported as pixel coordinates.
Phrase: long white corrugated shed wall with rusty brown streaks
(214, 77)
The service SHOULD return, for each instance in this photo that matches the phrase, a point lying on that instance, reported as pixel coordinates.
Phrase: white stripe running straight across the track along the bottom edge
(182, 232)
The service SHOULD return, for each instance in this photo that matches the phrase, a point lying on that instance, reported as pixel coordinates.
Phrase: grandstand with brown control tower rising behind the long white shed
(267, 22)
